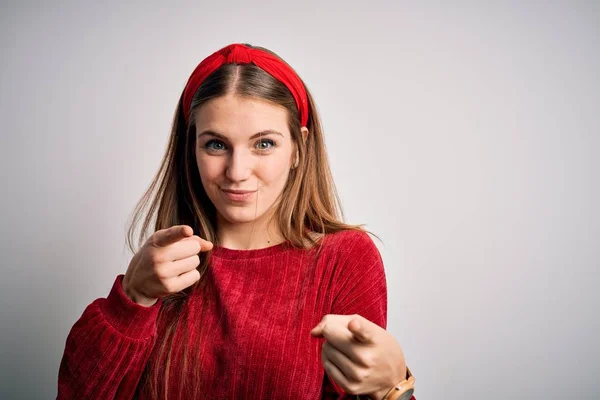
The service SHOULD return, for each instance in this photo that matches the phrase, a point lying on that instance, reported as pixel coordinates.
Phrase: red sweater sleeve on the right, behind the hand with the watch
(360, 288)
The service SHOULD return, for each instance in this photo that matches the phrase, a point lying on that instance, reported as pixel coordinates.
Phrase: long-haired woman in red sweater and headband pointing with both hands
(250, 286)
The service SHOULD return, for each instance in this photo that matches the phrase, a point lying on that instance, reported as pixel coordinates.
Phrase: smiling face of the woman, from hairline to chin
(243, 145)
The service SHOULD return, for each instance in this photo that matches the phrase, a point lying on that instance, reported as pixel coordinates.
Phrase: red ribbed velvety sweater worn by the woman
(256, 311)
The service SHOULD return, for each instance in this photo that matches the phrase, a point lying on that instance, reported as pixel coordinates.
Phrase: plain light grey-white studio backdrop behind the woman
(466, 136)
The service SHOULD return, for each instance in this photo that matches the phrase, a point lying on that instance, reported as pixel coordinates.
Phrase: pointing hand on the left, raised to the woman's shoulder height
(165, 264)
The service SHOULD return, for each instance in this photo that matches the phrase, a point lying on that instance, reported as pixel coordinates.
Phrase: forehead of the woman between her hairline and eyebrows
(234, 115)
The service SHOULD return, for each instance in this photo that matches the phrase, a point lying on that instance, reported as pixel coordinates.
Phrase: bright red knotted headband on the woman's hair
(240, 54)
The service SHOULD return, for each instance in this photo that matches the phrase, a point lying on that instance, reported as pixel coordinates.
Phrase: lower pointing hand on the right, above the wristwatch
(360, 356)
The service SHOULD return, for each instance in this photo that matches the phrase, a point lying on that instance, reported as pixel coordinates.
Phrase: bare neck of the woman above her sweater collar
(257, 234)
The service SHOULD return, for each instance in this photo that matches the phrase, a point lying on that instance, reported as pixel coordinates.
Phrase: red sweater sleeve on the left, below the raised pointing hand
(107, 348)
